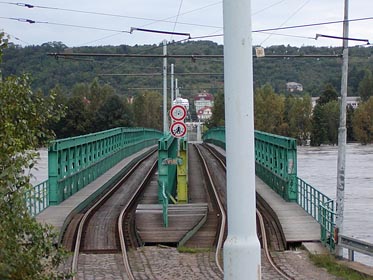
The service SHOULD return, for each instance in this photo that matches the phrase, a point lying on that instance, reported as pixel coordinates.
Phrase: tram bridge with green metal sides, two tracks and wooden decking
(168, 196)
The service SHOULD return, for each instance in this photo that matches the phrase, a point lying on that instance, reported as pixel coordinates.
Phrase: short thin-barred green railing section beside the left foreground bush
(37, 198)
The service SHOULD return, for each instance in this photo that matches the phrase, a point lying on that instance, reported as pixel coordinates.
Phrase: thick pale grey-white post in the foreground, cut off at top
(242, 247)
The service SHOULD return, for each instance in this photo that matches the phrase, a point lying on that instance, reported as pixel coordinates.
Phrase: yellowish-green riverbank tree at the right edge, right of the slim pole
(363, 122)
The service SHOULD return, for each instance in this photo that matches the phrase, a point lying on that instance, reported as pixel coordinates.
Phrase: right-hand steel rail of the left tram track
(121, 219)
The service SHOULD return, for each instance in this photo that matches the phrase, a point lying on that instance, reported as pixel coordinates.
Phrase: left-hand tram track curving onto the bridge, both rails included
(104, 230)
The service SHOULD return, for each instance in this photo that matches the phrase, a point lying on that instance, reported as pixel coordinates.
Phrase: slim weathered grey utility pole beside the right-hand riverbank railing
(342, 135)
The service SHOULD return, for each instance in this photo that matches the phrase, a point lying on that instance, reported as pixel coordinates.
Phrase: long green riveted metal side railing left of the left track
(75, 162)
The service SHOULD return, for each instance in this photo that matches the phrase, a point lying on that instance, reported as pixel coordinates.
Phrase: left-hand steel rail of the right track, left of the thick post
(219, 245)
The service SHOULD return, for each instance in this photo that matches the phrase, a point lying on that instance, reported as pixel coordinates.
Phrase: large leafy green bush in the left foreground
(26, 247)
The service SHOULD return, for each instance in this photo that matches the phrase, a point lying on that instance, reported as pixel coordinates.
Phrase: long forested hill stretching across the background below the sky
(130, 76)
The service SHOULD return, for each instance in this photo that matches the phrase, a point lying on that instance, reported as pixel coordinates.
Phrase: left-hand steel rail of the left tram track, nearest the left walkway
(74, 266)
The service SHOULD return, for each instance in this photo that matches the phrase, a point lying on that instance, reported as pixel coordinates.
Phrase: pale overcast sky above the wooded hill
(61, 21)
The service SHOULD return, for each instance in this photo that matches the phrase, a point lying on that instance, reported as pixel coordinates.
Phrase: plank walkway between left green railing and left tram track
(57, 215)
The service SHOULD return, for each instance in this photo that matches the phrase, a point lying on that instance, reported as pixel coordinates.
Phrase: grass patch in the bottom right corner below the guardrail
(330, 263)
